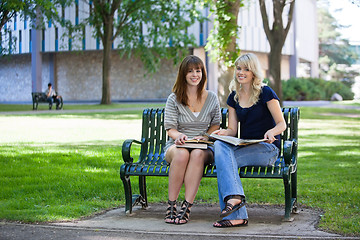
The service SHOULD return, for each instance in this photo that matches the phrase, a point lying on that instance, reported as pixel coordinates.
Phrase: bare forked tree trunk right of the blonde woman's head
(276, 35)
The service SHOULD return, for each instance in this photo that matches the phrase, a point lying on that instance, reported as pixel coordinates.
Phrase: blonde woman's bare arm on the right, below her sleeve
(275, 110)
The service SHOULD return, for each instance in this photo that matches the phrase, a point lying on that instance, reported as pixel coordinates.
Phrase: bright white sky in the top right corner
(348, 16)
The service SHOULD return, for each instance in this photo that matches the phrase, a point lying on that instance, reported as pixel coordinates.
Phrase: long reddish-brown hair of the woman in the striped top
(180, 85)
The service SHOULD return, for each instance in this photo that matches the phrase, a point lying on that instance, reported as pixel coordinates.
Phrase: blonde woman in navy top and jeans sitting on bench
(257, 108)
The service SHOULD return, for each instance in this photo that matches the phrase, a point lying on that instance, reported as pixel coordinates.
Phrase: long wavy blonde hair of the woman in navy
(251, 62)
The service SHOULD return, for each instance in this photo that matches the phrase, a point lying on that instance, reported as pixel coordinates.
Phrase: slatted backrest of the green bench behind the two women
(154, 135)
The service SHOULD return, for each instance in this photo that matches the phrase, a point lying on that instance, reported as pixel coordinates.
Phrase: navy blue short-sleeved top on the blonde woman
(257, 119)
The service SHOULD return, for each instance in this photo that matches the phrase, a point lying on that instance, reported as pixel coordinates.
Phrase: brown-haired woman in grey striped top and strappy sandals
(190, 112)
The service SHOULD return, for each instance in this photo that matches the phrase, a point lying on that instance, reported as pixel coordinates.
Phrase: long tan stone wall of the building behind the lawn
(78, 77)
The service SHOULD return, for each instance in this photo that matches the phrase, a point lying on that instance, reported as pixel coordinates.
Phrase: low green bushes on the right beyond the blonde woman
(297, 89)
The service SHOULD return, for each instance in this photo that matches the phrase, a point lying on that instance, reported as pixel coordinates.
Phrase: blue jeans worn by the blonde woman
(229, 158)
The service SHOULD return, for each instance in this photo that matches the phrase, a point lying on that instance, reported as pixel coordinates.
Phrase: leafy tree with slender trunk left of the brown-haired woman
(150, 29)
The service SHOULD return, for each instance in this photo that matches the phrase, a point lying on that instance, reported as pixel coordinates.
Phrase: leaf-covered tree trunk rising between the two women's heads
(222, 41)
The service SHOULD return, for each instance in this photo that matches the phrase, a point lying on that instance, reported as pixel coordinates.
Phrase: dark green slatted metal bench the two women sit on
(150, 160)
